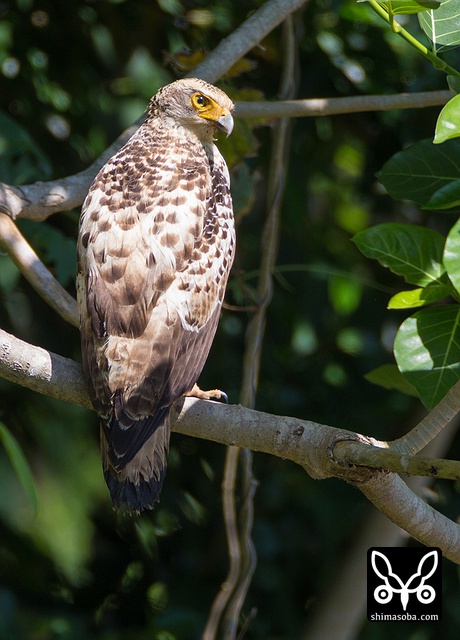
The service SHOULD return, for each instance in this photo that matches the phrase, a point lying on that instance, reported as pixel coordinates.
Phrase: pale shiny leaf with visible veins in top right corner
(442, 26)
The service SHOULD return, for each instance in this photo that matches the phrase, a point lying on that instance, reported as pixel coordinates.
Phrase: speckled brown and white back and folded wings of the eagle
(152, 277)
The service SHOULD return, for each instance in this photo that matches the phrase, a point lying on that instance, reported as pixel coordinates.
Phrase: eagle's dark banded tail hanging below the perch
(138, 484)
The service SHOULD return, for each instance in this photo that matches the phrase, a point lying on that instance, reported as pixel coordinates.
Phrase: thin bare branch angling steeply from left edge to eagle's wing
(31, 267)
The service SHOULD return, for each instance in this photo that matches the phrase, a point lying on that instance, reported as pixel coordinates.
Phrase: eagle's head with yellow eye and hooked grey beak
(195, 104)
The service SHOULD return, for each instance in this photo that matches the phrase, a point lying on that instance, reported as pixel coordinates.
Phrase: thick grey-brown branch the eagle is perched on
(307, 443)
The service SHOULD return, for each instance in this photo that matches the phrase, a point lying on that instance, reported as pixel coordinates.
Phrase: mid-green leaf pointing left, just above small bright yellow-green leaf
(410, 251)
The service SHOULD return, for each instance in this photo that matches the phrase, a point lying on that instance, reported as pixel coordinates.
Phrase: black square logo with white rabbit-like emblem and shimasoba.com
(404, 583)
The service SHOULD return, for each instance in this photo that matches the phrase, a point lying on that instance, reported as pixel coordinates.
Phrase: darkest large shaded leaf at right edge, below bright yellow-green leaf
(416, 173)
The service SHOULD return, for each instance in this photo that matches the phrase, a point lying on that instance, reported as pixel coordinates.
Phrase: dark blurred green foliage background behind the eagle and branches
(73, 74)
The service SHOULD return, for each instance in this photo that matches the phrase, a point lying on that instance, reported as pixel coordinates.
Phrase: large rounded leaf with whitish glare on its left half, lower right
(427, 351)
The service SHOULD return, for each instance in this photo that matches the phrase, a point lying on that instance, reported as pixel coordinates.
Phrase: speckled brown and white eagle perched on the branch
(155, 246)
